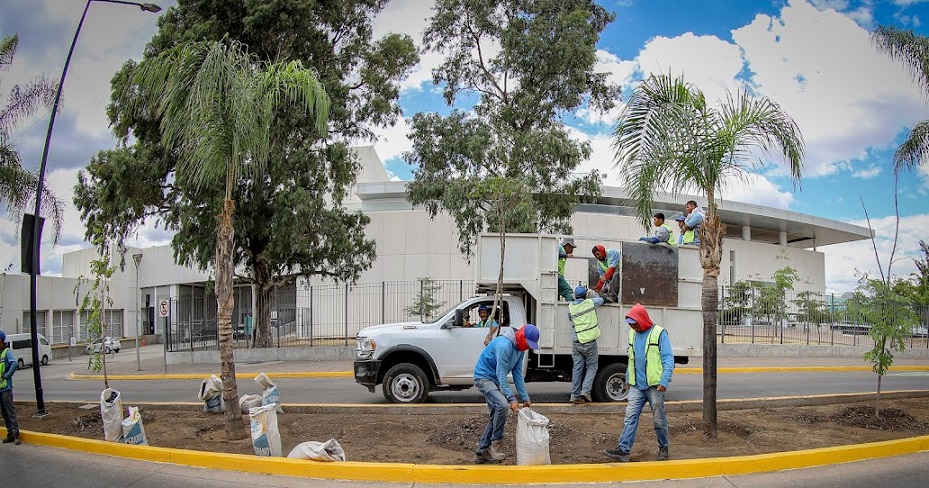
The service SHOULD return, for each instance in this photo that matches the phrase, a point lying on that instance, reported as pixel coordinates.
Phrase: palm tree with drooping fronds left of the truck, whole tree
(216, 104)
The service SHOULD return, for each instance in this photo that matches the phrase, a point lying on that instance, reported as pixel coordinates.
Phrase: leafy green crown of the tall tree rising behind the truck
(521, 65)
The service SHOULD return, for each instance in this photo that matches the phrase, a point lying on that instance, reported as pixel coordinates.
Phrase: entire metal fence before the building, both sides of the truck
(326, 315)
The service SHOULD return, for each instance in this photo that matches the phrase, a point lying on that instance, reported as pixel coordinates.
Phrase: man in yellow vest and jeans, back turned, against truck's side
(583, 314)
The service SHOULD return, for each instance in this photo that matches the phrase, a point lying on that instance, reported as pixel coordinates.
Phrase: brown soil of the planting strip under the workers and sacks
(576, 437)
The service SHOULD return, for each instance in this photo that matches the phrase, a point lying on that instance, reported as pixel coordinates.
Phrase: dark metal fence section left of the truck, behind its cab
(317, 315)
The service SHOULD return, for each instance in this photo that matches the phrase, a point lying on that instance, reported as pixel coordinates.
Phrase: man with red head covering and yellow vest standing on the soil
(651, 362)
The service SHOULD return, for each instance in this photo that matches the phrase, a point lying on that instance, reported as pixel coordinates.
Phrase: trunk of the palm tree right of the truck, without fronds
(711, 248)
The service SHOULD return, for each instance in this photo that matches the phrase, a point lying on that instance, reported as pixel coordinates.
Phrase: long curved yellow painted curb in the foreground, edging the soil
(555, 474)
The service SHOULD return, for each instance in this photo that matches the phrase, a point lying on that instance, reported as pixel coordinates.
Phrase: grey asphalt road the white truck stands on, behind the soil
(56, 386)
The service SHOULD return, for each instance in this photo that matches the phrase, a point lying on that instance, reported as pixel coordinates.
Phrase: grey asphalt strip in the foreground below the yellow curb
(29, 465)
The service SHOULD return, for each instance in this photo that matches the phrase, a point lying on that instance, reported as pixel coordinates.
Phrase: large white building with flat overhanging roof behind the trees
(410, 245)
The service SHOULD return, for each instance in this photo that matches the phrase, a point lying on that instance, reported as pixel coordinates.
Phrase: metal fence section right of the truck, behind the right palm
(765, 315)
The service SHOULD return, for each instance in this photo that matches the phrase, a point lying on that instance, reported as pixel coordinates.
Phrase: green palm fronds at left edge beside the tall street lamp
(18, 186)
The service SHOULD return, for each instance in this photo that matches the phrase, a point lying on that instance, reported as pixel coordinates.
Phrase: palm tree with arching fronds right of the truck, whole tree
(668, 139)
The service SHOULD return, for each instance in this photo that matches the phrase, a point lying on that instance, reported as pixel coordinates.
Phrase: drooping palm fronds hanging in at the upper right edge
(913, 51)
